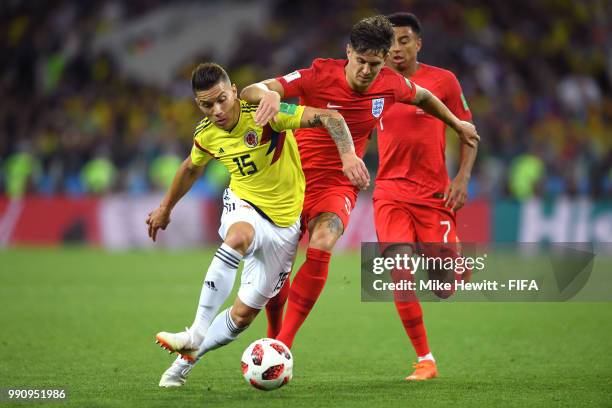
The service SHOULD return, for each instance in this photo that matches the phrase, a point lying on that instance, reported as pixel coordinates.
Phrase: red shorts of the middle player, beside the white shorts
(339, 200)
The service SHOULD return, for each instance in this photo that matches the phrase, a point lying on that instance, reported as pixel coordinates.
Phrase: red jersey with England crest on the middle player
(324, 85)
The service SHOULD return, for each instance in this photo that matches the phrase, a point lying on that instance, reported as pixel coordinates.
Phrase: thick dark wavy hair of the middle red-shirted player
(372, 34)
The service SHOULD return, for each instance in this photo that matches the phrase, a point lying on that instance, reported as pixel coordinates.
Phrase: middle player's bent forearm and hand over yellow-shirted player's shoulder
(268, 95)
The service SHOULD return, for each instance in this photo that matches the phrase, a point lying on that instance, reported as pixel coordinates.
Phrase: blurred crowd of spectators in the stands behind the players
(96, 96)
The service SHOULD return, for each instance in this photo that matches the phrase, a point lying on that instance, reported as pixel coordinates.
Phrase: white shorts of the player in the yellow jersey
(269, 259)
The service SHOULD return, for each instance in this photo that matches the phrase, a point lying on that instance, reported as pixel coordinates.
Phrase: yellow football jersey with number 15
(264, 162)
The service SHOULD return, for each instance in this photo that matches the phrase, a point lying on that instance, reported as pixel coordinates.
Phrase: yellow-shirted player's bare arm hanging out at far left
(184, 178)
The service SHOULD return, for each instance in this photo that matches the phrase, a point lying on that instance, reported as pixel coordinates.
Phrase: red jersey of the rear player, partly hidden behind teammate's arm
(411, 143)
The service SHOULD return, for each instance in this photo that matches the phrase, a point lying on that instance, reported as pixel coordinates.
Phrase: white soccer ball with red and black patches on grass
(267, 364)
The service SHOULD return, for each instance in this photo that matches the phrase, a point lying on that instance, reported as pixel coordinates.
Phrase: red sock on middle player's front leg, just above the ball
(305, 290)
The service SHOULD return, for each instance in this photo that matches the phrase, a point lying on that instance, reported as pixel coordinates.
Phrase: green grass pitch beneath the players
(85, 320)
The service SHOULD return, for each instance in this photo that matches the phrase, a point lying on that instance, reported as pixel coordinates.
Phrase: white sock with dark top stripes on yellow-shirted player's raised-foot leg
(218, 284)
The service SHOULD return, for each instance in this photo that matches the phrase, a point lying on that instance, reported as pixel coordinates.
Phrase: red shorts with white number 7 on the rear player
(398, 221)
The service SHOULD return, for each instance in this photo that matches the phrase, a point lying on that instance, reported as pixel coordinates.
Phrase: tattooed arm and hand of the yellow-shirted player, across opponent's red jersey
(352, 166)
